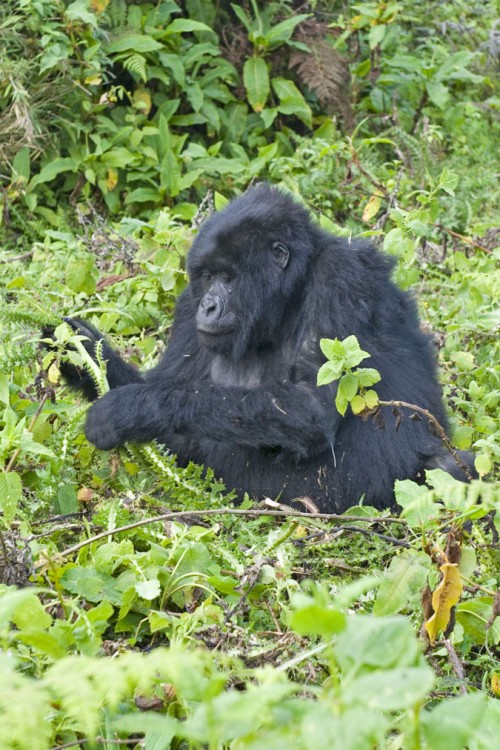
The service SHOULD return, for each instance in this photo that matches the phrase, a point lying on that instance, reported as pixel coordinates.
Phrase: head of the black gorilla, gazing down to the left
(247, 267)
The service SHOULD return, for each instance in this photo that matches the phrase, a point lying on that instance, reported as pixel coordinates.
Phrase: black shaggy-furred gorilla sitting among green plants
(236, 389)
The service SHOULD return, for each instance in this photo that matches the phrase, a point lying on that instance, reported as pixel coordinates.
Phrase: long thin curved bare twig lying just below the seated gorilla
(223, 512)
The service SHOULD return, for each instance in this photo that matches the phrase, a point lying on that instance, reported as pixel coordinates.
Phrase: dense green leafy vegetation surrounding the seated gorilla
(136, 601)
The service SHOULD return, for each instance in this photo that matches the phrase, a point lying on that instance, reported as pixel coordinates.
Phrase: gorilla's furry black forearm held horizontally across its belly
(289, 419)
